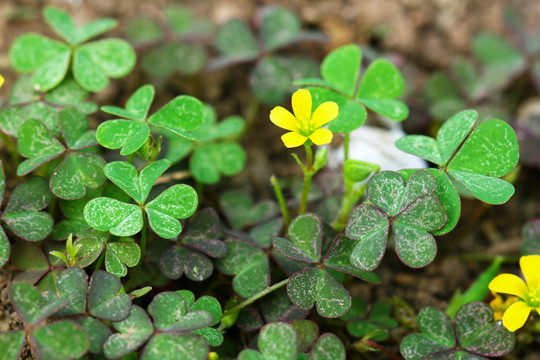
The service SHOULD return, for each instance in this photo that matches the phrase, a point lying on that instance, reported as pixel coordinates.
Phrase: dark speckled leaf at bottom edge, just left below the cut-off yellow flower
(474, 334)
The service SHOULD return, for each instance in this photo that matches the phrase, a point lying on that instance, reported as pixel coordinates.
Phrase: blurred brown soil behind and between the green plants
(422, 35)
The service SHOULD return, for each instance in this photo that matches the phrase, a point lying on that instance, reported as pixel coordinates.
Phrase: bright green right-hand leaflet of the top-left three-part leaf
(95, 62)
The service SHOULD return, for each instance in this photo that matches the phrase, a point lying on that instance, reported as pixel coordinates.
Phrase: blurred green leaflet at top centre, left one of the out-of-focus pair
(235, 39)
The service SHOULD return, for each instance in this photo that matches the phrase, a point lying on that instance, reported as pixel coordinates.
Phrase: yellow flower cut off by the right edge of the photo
(528, 293)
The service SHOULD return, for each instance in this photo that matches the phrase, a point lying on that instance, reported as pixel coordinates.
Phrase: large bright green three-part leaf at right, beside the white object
(475, 158)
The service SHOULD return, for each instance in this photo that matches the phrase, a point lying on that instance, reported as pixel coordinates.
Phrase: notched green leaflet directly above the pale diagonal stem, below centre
(250, 266)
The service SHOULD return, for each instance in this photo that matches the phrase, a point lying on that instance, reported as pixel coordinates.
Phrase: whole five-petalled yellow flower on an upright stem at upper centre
(303, 125)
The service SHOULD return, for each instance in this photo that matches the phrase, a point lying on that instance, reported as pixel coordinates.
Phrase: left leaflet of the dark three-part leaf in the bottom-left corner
(30, 305)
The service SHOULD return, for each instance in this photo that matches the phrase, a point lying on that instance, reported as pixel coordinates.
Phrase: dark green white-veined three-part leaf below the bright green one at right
(411, 211)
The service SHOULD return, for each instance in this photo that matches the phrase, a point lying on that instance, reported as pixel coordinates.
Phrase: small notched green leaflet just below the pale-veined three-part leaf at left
(120, 255)
